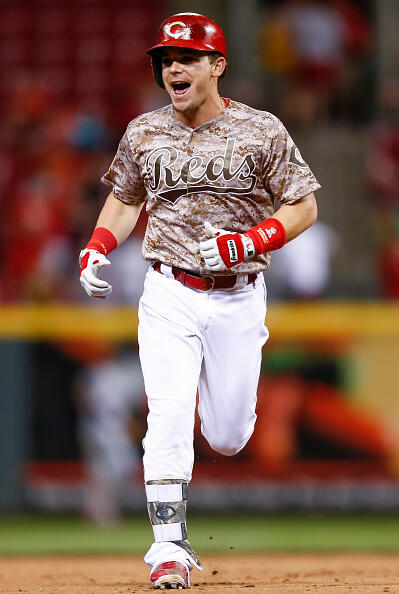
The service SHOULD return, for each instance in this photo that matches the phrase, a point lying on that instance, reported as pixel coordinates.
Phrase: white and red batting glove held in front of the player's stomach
(224, 249)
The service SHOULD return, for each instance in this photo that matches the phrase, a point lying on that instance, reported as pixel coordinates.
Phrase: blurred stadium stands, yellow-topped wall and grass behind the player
(72, 406)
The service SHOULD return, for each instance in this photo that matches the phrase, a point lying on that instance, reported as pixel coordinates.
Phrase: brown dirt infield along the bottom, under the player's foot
(326, 573)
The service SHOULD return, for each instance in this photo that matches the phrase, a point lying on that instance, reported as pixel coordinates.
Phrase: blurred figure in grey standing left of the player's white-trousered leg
(110, 394)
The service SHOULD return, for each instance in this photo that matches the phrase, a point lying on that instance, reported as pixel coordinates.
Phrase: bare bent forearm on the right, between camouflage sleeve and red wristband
(297, 217)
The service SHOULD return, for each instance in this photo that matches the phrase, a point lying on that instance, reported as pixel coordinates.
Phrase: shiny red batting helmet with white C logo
(187, 29)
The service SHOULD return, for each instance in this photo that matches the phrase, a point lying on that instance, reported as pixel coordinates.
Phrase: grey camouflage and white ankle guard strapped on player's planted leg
(167, 503)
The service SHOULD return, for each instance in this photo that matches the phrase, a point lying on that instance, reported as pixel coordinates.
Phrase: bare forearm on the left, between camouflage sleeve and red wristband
(118, 218)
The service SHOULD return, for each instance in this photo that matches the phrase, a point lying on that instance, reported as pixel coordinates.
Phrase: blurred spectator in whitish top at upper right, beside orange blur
(313, 48)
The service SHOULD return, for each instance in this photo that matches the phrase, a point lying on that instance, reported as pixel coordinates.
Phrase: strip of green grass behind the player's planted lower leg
(37, 535)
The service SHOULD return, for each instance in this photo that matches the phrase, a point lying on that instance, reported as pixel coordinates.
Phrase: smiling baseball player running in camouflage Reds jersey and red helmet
(224, 185)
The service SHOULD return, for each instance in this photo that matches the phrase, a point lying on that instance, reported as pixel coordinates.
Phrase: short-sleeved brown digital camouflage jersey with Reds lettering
(233, 171)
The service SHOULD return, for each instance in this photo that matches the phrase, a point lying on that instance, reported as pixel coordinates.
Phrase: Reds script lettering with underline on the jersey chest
(197, 176)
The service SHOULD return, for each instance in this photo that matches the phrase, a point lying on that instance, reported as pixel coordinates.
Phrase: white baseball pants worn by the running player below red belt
(191, 339)
